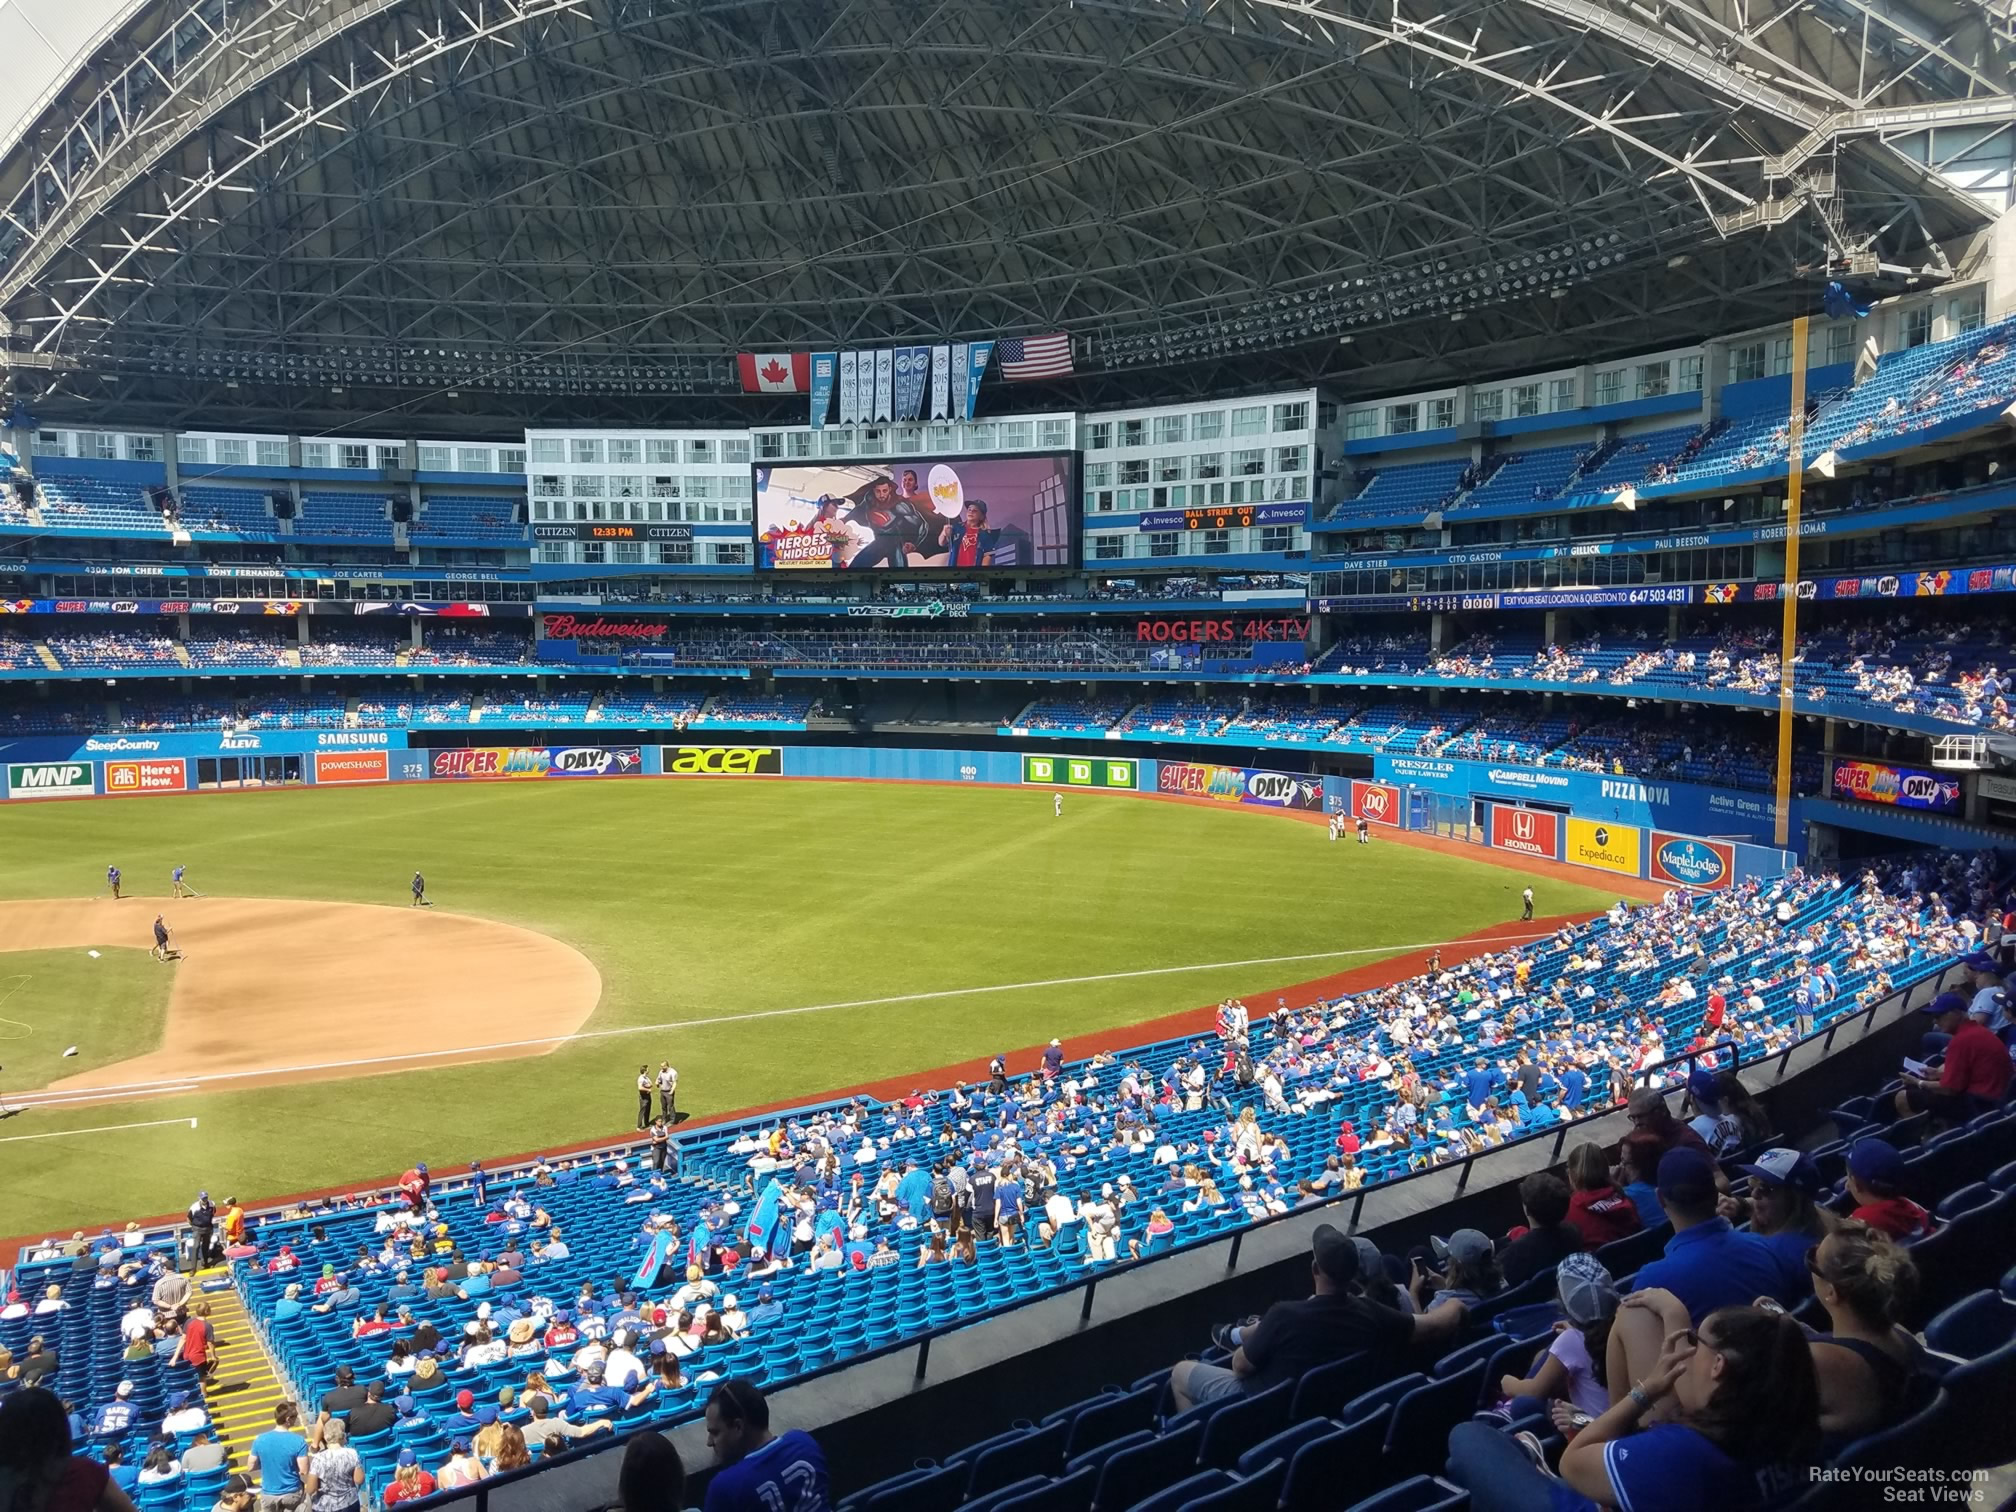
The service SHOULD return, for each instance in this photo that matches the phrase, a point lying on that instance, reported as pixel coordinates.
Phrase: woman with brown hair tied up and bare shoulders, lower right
(1872, 1370)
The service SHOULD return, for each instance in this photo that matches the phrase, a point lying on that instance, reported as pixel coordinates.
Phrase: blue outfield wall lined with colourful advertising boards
(1652, 832)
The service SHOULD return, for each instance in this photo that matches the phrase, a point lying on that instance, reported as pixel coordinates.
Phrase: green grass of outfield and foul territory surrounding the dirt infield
(711, 902)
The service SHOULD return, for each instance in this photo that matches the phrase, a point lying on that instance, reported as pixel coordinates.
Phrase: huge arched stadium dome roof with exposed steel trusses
(481, 213)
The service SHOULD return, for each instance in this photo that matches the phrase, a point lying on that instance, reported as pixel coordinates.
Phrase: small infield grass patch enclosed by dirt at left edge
(110, 1005)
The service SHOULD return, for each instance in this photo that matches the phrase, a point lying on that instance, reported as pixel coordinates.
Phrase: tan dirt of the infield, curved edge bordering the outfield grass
(287, 991)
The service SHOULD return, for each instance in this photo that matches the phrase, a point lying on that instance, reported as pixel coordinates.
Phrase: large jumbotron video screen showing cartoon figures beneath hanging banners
(924, 513)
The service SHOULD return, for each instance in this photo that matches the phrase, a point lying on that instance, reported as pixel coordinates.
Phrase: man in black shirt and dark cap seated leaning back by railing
(1295, 1338)
